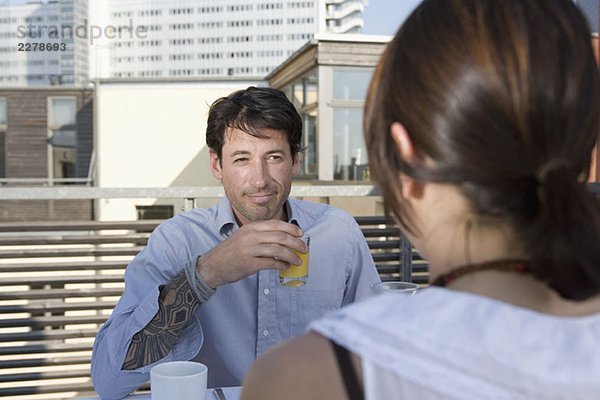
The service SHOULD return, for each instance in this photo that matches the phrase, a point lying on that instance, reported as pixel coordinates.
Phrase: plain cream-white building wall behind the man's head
(151, 133)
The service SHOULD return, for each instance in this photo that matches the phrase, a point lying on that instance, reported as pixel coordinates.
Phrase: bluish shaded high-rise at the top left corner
(43, 43)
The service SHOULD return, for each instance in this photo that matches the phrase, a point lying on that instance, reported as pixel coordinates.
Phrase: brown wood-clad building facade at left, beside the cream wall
(46, 139)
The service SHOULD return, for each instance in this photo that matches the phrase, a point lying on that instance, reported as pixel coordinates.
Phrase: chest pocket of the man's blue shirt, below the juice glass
(308, 305)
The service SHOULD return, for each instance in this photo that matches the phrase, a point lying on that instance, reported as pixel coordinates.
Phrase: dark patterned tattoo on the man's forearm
(176, 305)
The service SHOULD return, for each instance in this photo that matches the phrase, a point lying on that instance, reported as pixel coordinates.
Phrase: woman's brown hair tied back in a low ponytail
(504, 97)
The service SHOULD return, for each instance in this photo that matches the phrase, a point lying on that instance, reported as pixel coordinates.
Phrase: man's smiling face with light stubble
(256, 174)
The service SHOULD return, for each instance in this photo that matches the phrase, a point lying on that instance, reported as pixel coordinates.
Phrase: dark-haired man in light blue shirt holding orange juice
(206, 287)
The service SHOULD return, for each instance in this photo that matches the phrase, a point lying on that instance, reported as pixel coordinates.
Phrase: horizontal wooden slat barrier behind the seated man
(59, 281)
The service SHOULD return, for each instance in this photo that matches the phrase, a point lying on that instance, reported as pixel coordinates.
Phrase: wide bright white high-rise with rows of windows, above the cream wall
(211, 38)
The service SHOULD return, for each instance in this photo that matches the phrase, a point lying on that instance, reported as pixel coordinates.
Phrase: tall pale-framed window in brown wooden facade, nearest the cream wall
(62, 136)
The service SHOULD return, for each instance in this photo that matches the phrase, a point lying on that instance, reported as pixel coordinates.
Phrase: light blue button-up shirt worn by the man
(242, 319)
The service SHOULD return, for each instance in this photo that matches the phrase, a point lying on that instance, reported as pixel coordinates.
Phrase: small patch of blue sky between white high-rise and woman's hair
(383, 17)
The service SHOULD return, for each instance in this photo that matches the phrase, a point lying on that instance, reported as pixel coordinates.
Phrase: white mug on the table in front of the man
(178, 380)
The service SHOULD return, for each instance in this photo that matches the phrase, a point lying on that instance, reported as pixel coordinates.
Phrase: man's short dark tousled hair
(252, 110)
